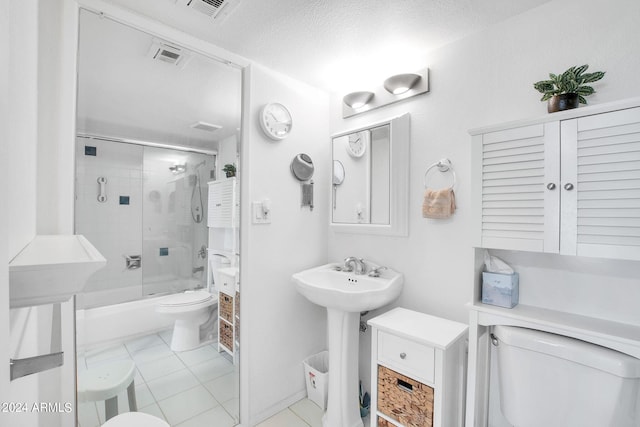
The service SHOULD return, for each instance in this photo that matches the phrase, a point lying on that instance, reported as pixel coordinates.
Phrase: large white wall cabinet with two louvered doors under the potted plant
(568, 186)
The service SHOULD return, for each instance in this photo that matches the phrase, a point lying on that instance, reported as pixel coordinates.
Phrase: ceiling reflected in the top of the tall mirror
(124, 93)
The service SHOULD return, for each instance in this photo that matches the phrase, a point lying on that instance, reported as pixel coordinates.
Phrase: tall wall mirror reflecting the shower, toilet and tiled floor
(158, 133)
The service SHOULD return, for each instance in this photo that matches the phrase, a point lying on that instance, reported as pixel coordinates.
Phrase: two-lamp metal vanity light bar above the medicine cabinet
(394, 89)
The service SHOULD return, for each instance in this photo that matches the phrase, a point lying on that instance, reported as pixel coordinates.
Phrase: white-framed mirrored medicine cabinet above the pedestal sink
(370, 165)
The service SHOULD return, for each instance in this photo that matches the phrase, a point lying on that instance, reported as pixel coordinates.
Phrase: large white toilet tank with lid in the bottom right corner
(556, 381)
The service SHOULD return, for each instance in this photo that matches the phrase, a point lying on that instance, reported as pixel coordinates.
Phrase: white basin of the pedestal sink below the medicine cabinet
(328, 287)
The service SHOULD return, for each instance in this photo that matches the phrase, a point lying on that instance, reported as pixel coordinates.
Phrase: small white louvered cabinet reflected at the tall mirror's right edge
(223, 204)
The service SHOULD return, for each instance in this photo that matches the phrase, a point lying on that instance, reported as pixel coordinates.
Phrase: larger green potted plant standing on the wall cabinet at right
(567, 90)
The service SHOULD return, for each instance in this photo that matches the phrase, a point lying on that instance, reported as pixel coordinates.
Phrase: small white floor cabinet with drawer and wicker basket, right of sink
(417, 372)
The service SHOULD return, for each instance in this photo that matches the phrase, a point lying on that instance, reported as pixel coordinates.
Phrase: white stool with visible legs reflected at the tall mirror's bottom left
(105, 382)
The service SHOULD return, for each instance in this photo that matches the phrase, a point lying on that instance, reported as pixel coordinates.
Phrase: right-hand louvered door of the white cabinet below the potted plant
(600, 200)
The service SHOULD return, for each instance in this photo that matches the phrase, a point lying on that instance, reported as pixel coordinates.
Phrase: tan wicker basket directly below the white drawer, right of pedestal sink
(404, 399)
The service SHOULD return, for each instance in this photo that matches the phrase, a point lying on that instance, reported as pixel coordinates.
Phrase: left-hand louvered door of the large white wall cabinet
(516, 188)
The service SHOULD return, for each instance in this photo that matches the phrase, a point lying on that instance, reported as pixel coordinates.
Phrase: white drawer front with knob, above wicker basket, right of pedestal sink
(409, 356)
